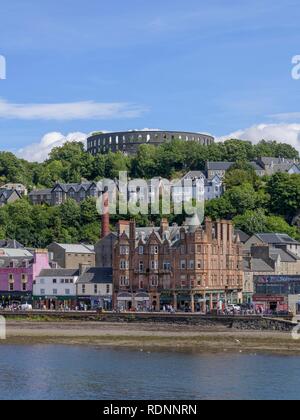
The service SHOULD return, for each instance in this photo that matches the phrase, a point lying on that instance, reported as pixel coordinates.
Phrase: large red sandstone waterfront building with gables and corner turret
(190, 268)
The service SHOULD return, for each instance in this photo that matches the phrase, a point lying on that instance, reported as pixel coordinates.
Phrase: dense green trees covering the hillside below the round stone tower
(255, 204)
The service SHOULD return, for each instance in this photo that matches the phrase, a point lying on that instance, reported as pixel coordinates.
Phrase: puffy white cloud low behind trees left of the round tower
(38, 152)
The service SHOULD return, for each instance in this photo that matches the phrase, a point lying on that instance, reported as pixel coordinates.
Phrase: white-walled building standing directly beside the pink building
(55, 289)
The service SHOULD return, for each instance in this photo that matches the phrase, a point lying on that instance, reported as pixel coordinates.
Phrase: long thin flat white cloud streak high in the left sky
(70, 111)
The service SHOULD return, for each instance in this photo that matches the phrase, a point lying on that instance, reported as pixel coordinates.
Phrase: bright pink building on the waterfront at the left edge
(18, 270)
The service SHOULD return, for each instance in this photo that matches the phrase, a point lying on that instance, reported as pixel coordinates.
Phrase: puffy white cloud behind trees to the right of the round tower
(286, 133)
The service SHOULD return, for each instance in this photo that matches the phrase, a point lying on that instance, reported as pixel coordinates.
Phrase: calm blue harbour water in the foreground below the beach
(63, 372)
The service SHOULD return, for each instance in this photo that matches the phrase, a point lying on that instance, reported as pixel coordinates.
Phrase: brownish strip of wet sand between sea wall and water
(150, 336)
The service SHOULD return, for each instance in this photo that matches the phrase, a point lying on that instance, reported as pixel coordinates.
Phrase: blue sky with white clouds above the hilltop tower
(220, 67)
